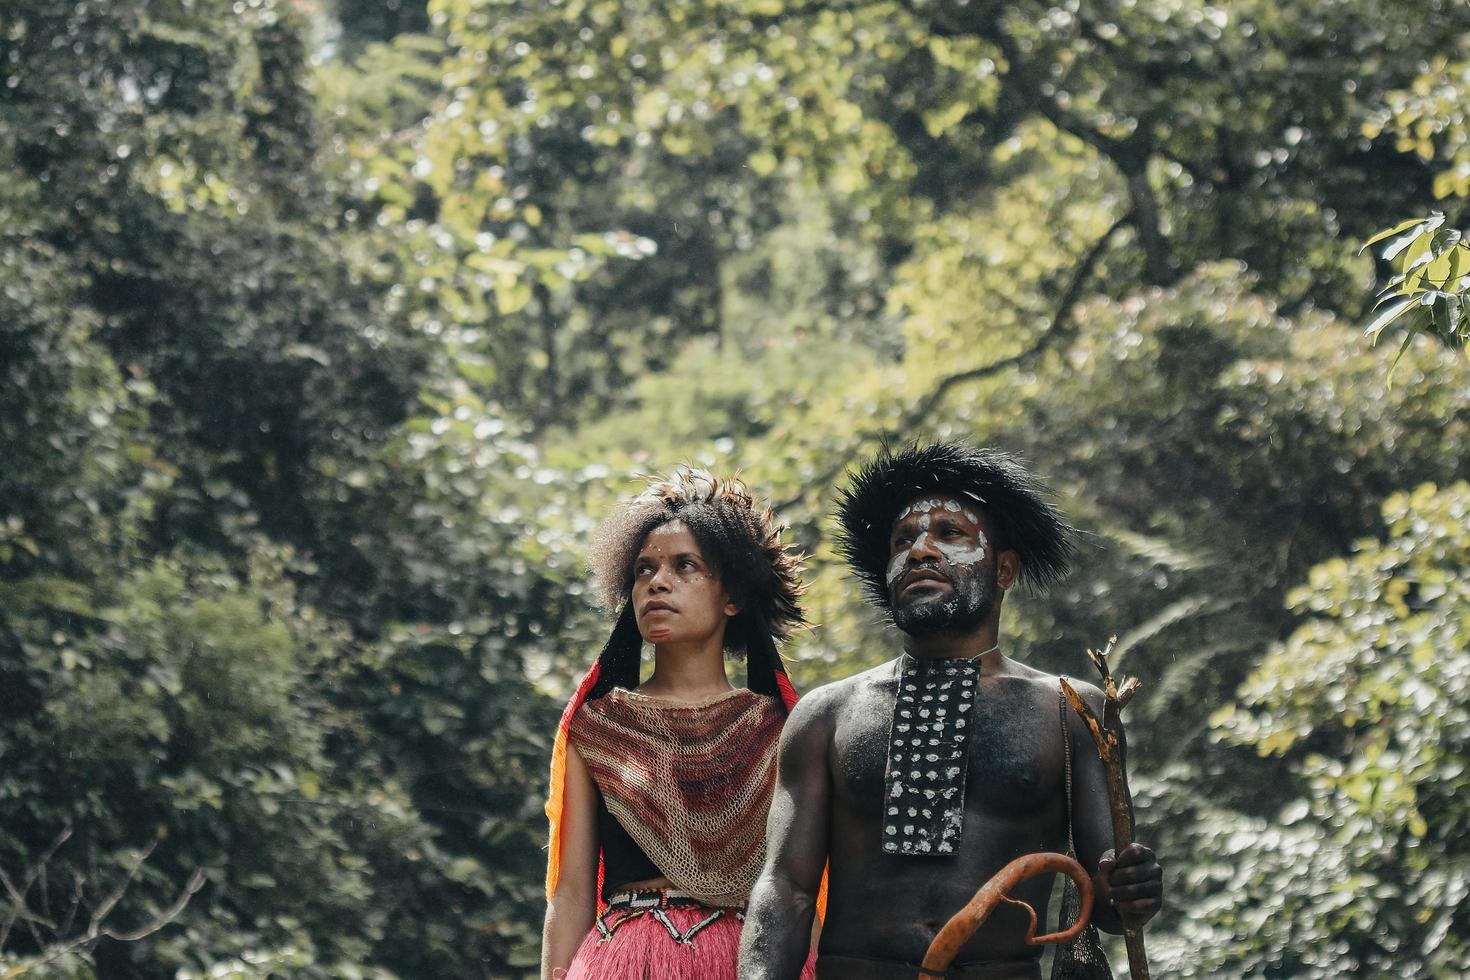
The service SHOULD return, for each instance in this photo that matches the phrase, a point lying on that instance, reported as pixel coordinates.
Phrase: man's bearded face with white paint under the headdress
(939, 575)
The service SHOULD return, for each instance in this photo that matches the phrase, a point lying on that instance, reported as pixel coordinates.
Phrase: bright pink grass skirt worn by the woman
(670, 944)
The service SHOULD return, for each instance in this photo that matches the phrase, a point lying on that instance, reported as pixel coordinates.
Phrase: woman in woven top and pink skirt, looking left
(661, 790)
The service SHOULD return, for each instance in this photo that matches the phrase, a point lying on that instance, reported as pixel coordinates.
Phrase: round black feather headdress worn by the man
(1017, 505)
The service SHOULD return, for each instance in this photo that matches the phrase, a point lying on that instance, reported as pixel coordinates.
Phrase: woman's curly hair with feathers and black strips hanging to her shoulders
(740, 541)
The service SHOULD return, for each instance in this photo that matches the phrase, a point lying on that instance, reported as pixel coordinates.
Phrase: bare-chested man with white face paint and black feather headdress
(917, 781)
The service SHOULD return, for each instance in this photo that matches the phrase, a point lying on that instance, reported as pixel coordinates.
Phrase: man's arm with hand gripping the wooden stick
(1130, 885)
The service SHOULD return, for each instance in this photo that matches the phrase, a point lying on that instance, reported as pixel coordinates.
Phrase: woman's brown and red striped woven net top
(690, 782)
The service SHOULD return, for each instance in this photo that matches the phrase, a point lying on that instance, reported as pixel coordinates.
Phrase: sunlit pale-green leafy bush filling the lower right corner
(1365, 707)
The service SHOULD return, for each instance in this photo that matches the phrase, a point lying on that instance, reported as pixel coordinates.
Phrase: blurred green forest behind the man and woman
(329, 333)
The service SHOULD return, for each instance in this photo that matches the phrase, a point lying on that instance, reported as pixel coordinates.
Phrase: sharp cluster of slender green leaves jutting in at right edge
(1431, 286)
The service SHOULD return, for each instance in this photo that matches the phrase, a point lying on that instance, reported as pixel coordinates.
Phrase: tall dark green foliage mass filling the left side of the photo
(224, 555)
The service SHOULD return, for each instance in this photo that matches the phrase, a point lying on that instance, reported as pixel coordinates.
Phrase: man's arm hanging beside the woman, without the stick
(783, 906)
